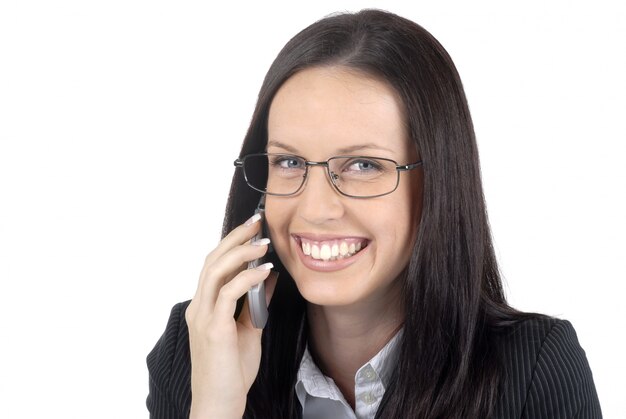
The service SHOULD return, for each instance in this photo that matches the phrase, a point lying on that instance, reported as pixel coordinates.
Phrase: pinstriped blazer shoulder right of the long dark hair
(546, 373)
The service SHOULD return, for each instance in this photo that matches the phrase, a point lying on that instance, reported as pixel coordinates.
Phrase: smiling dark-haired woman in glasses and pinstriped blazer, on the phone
(388, 301)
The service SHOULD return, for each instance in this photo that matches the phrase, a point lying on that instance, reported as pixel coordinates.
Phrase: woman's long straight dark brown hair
(448, 365)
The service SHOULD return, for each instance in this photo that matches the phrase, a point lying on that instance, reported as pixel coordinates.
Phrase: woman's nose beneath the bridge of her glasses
(318, 201)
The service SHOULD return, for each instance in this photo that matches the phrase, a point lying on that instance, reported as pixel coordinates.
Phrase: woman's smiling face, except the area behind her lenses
(324, 112)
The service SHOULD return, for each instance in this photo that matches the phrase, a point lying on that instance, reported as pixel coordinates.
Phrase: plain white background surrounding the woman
(119, 122)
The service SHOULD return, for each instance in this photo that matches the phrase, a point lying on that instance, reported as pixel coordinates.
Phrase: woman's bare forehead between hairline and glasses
(323, 110)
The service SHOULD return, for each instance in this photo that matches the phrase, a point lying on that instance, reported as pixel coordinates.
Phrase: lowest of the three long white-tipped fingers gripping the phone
(226, 302)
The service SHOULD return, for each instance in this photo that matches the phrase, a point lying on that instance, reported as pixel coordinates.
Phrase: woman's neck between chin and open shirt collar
(343, 339)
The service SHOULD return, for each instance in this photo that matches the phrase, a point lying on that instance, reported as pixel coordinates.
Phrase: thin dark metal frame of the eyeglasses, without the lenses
(239, 162)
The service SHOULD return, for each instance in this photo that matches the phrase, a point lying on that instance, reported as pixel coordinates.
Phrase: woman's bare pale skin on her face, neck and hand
(354, 311)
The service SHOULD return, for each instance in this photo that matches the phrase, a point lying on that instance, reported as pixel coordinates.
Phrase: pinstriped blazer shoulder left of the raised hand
(169, 368)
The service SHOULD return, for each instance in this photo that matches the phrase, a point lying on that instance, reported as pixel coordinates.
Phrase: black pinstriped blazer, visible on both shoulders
(546, 372)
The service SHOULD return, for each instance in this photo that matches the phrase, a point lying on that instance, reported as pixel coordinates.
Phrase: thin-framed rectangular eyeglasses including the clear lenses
(353, 176)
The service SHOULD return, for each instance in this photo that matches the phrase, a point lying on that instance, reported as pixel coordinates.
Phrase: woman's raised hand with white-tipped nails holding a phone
(226, 353)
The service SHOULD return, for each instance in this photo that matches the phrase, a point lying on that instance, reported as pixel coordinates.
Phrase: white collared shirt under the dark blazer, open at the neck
(320, 397)
